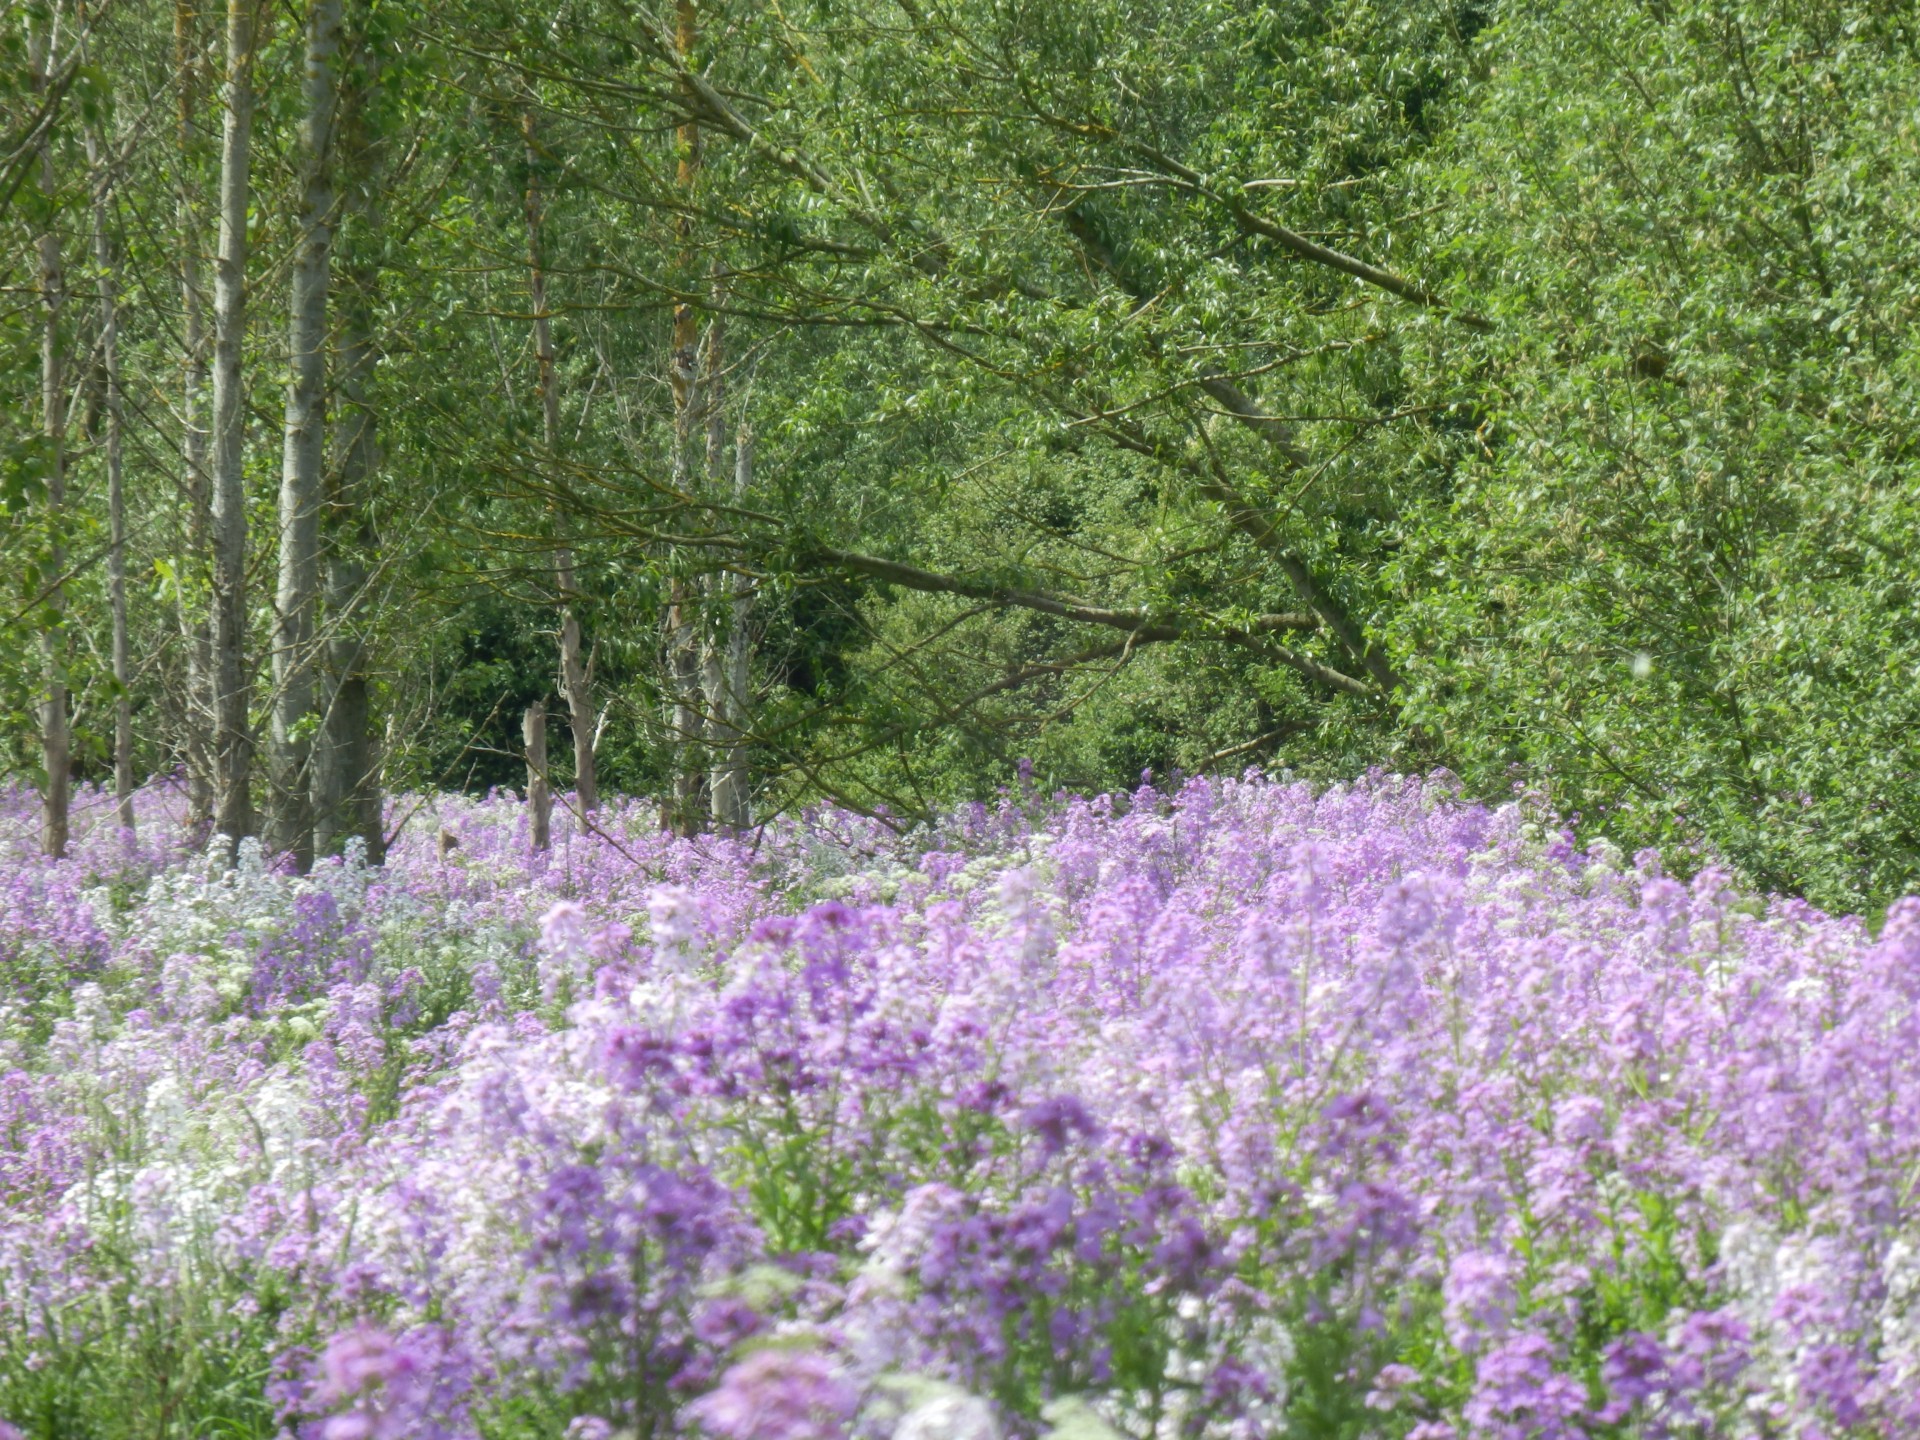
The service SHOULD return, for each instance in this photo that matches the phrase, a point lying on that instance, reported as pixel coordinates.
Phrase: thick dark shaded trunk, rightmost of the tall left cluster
(347, 773)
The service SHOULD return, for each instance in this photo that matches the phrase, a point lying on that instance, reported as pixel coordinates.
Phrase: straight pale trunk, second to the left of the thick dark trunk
(233, 742)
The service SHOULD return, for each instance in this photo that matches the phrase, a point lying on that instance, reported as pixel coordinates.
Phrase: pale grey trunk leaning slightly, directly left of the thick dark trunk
(304, 454)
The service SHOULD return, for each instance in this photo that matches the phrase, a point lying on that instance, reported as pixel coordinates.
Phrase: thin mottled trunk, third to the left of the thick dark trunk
(193, 564)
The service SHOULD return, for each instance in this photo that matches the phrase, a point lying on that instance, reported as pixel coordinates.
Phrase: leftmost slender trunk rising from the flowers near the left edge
(53, 283)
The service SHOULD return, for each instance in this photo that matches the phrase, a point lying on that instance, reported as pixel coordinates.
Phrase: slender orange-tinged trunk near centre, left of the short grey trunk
(686, 721)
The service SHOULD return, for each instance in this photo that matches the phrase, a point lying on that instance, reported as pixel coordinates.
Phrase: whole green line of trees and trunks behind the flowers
(844, 398)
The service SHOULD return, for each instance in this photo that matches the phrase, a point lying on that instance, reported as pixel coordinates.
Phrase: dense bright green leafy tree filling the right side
(1675, 579)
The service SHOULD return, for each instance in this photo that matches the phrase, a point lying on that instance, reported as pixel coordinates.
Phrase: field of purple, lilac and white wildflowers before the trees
(1241, 1111)
